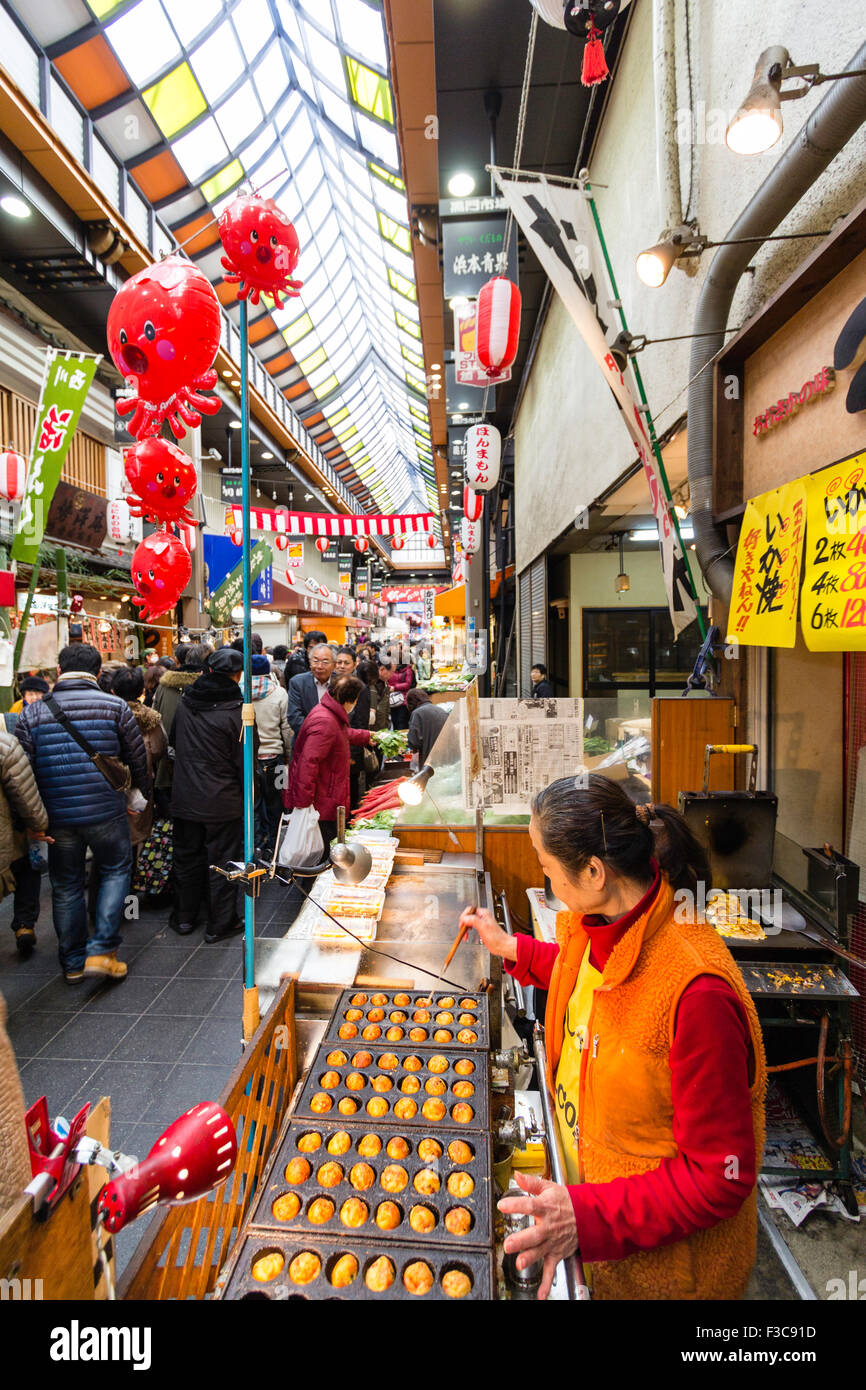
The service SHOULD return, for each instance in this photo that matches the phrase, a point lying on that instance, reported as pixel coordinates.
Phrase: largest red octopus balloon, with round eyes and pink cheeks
(163, 336)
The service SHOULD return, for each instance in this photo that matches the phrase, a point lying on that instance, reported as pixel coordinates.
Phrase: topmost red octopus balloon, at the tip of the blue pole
(261, 247)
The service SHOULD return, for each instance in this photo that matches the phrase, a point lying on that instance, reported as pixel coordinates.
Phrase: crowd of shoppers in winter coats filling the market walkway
(133, 776)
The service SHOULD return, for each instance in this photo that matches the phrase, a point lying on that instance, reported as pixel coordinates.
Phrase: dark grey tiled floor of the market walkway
(156, 1043)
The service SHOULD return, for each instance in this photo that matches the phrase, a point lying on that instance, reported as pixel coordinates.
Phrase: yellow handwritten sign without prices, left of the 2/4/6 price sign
(769, 562)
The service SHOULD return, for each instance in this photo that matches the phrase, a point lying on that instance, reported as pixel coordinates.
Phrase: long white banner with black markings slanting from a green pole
(558, 226)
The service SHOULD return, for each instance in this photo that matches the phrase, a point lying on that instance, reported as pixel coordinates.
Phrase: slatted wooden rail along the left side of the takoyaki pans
(186, 1249)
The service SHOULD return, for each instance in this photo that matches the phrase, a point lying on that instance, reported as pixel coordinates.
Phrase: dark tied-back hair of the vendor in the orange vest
(579, 822)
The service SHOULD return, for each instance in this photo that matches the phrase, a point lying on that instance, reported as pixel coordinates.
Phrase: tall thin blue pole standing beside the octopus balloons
(251, 995)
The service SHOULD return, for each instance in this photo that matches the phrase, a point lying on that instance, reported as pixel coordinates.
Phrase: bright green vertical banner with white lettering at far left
(65, 389)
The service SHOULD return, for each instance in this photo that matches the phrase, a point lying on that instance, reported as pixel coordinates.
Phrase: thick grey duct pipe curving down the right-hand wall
(825, 134)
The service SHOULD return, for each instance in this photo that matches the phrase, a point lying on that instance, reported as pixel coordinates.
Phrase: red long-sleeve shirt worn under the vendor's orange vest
(711, 1064)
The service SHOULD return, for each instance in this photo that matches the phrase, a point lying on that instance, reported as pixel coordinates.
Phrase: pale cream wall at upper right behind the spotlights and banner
(569, 440)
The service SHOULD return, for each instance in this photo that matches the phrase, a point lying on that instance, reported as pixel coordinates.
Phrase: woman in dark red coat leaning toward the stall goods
(319, 772)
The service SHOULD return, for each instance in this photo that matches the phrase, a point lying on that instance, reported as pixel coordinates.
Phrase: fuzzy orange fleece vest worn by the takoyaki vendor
(626, 1110)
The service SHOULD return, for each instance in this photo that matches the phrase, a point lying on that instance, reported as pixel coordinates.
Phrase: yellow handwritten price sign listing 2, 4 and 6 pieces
(833, 604)
